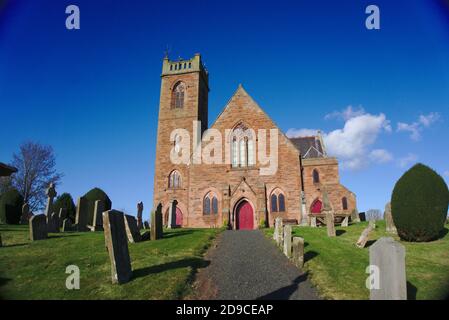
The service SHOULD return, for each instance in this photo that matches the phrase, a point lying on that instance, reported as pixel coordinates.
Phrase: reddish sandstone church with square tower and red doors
(236, 194)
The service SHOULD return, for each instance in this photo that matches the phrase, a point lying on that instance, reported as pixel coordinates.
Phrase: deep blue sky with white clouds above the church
(93, 93)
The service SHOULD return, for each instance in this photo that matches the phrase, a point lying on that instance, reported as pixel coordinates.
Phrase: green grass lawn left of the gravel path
(162, 269)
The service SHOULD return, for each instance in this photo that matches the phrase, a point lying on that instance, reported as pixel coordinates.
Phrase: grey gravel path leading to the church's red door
(246, 265)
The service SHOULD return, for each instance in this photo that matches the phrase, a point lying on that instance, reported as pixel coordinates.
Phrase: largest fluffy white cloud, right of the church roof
(353, 143)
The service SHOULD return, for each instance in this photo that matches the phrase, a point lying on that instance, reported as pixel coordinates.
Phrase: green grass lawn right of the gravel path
(337, 266)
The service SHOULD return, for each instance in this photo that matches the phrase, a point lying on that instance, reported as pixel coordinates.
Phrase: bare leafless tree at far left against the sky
(36, 170)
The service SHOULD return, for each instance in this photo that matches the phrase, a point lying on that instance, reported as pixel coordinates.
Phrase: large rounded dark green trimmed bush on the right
(419, 204)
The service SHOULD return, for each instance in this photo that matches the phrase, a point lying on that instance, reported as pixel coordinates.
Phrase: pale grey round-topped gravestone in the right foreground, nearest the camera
(389, 257)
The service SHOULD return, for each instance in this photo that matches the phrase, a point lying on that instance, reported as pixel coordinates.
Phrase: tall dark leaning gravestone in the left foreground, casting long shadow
(117, 245)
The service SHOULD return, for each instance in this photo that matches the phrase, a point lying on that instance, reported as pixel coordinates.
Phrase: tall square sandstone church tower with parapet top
(183, 100)
